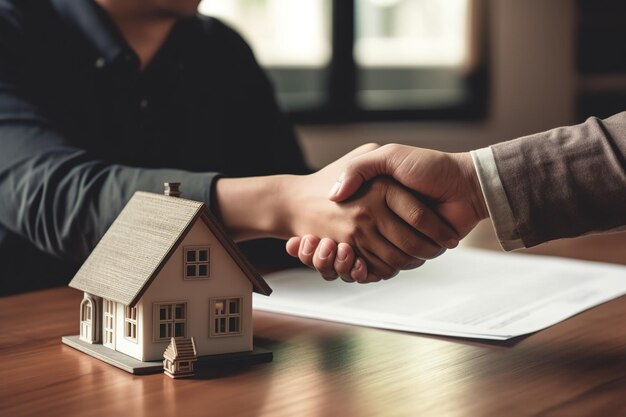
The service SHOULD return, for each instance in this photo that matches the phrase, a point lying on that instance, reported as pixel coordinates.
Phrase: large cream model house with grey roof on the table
(165, 268)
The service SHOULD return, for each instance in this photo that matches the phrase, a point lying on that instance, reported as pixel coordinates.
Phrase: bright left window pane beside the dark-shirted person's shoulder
(291, 39)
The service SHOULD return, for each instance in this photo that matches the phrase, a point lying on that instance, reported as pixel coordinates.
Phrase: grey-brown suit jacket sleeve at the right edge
(565, 182)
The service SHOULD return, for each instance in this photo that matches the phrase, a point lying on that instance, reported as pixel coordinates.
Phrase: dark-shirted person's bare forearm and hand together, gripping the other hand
(388, 227)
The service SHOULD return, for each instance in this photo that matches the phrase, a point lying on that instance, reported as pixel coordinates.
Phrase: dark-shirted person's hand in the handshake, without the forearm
(388, 226)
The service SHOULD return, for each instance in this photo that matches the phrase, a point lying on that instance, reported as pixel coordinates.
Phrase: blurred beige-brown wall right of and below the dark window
(532, 88)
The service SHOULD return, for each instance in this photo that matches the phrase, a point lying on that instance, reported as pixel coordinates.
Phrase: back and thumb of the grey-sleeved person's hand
(448, 181)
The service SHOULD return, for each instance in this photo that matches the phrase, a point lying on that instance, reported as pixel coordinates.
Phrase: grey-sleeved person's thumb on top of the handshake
(358, 171)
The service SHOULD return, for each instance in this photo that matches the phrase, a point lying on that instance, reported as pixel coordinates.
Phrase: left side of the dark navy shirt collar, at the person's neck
(97, 27)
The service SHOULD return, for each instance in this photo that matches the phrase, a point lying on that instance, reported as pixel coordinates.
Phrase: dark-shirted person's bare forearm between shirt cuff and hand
(254, 207)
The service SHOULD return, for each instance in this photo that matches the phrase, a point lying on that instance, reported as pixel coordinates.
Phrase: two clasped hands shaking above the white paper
(391, 208)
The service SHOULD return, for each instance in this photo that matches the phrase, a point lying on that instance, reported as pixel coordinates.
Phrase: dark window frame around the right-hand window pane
(341, 90)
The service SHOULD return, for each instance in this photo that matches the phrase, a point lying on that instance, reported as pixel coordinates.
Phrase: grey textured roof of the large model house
(140, 241)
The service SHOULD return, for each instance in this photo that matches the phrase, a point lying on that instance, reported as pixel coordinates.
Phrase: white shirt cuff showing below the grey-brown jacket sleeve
(497, 203)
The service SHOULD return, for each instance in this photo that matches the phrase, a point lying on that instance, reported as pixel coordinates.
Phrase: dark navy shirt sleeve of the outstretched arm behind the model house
(54, 195)
